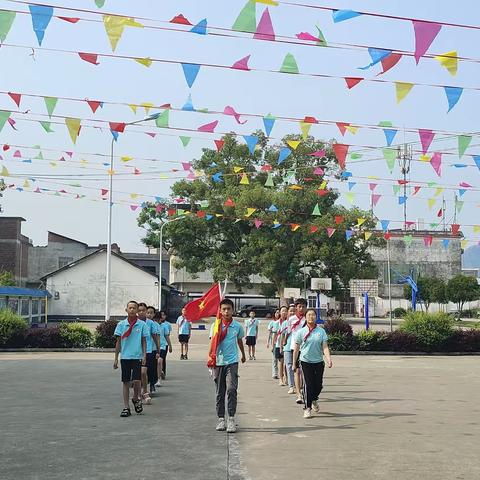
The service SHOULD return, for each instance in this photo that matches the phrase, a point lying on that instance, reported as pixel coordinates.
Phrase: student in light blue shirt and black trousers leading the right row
(311, 345)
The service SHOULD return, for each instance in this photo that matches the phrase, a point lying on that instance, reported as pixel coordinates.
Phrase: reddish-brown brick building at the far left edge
(14, 249)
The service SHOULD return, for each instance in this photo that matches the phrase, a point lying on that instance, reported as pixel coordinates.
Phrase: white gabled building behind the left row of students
(78, 289)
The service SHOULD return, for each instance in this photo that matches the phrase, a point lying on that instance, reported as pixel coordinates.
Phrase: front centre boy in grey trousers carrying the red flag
(225, 373)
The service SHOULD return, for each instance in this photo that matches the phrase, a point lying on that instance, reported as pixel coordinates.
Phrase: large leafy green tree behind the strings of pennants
(286, 237)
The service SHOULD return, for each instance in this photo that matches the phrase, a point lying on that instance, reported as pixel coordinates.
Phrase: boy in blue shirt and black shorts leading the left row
(131, 342)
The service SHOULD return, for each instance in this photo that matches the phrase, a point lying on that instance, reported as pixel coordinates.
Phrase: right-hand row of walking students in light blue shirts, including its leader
(300, 351)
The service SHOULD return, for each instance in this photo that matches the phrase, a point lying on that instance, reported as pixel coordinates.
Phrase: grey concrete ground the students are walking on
(381, 417)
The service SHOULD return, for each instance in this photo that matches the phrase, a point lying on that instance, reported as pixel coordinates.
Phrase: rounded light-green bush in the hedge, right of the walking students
(432, 331)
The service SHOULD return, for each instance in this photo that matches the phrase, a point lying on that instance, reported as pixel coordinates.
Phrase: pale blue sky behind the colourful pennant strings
(125, 81)
